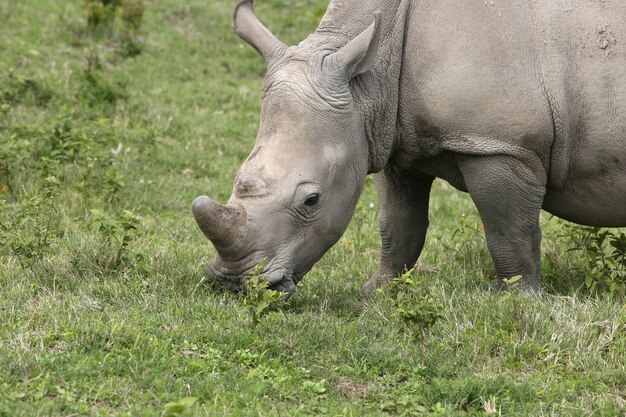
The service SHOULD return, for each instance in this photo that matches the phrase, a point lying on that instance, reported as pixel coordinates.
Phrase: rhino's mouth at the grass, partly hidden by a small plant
(280, 279)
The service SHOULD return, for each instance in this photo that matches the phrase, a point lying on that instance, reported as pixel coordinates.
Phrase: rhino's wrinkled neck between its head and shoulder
(376, 93)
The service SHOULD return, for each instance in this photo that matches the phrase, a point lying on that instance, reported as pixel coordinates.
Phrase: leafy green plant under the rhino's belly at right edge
(605, 270)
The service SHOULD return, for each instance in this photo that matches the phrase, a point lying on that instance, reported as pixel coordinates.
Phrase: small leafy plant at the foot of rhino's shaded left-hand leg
(413, 304)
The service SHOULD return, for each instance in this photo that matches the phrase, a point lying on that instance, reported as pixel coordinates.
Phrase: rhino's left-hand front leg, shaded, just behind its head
(403, 222)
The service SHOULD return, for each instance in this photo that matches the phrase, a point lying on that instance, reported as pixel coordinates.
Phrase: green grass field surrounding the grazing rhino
(106, 136)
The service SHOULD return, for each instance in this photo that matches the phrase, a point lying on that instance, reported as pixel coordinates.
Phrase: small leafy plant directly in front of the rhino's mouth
(258, 298)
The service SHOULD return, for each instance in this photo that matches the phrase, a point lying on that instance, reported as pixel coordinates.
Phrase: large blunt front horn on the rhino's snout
(221, 224)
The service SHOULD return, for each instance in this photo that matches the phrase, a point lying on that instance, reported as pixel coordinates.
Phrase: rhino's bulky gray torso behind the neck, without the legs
(524, 78)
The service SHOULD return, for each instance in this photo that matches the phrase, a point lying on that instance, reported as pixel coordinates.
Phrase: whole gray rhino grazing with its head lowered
(522, 104)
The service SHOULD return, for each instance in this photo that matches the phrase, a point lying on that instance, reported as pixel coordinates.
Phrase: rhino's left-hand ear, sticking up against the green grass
(250, 29)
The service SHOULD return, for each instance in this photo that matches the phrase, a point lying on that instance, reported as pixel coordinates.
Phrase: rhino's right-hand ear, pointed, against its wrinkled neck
(359, 55)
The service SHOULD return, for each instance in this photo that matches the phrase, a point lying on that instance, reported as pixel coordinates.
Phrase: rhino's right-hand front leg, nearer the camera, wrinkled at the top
(508, 195)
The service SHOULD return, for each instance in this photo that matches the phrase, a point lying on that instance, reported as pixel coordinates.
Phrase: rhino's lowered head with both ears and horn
(296, 192)
